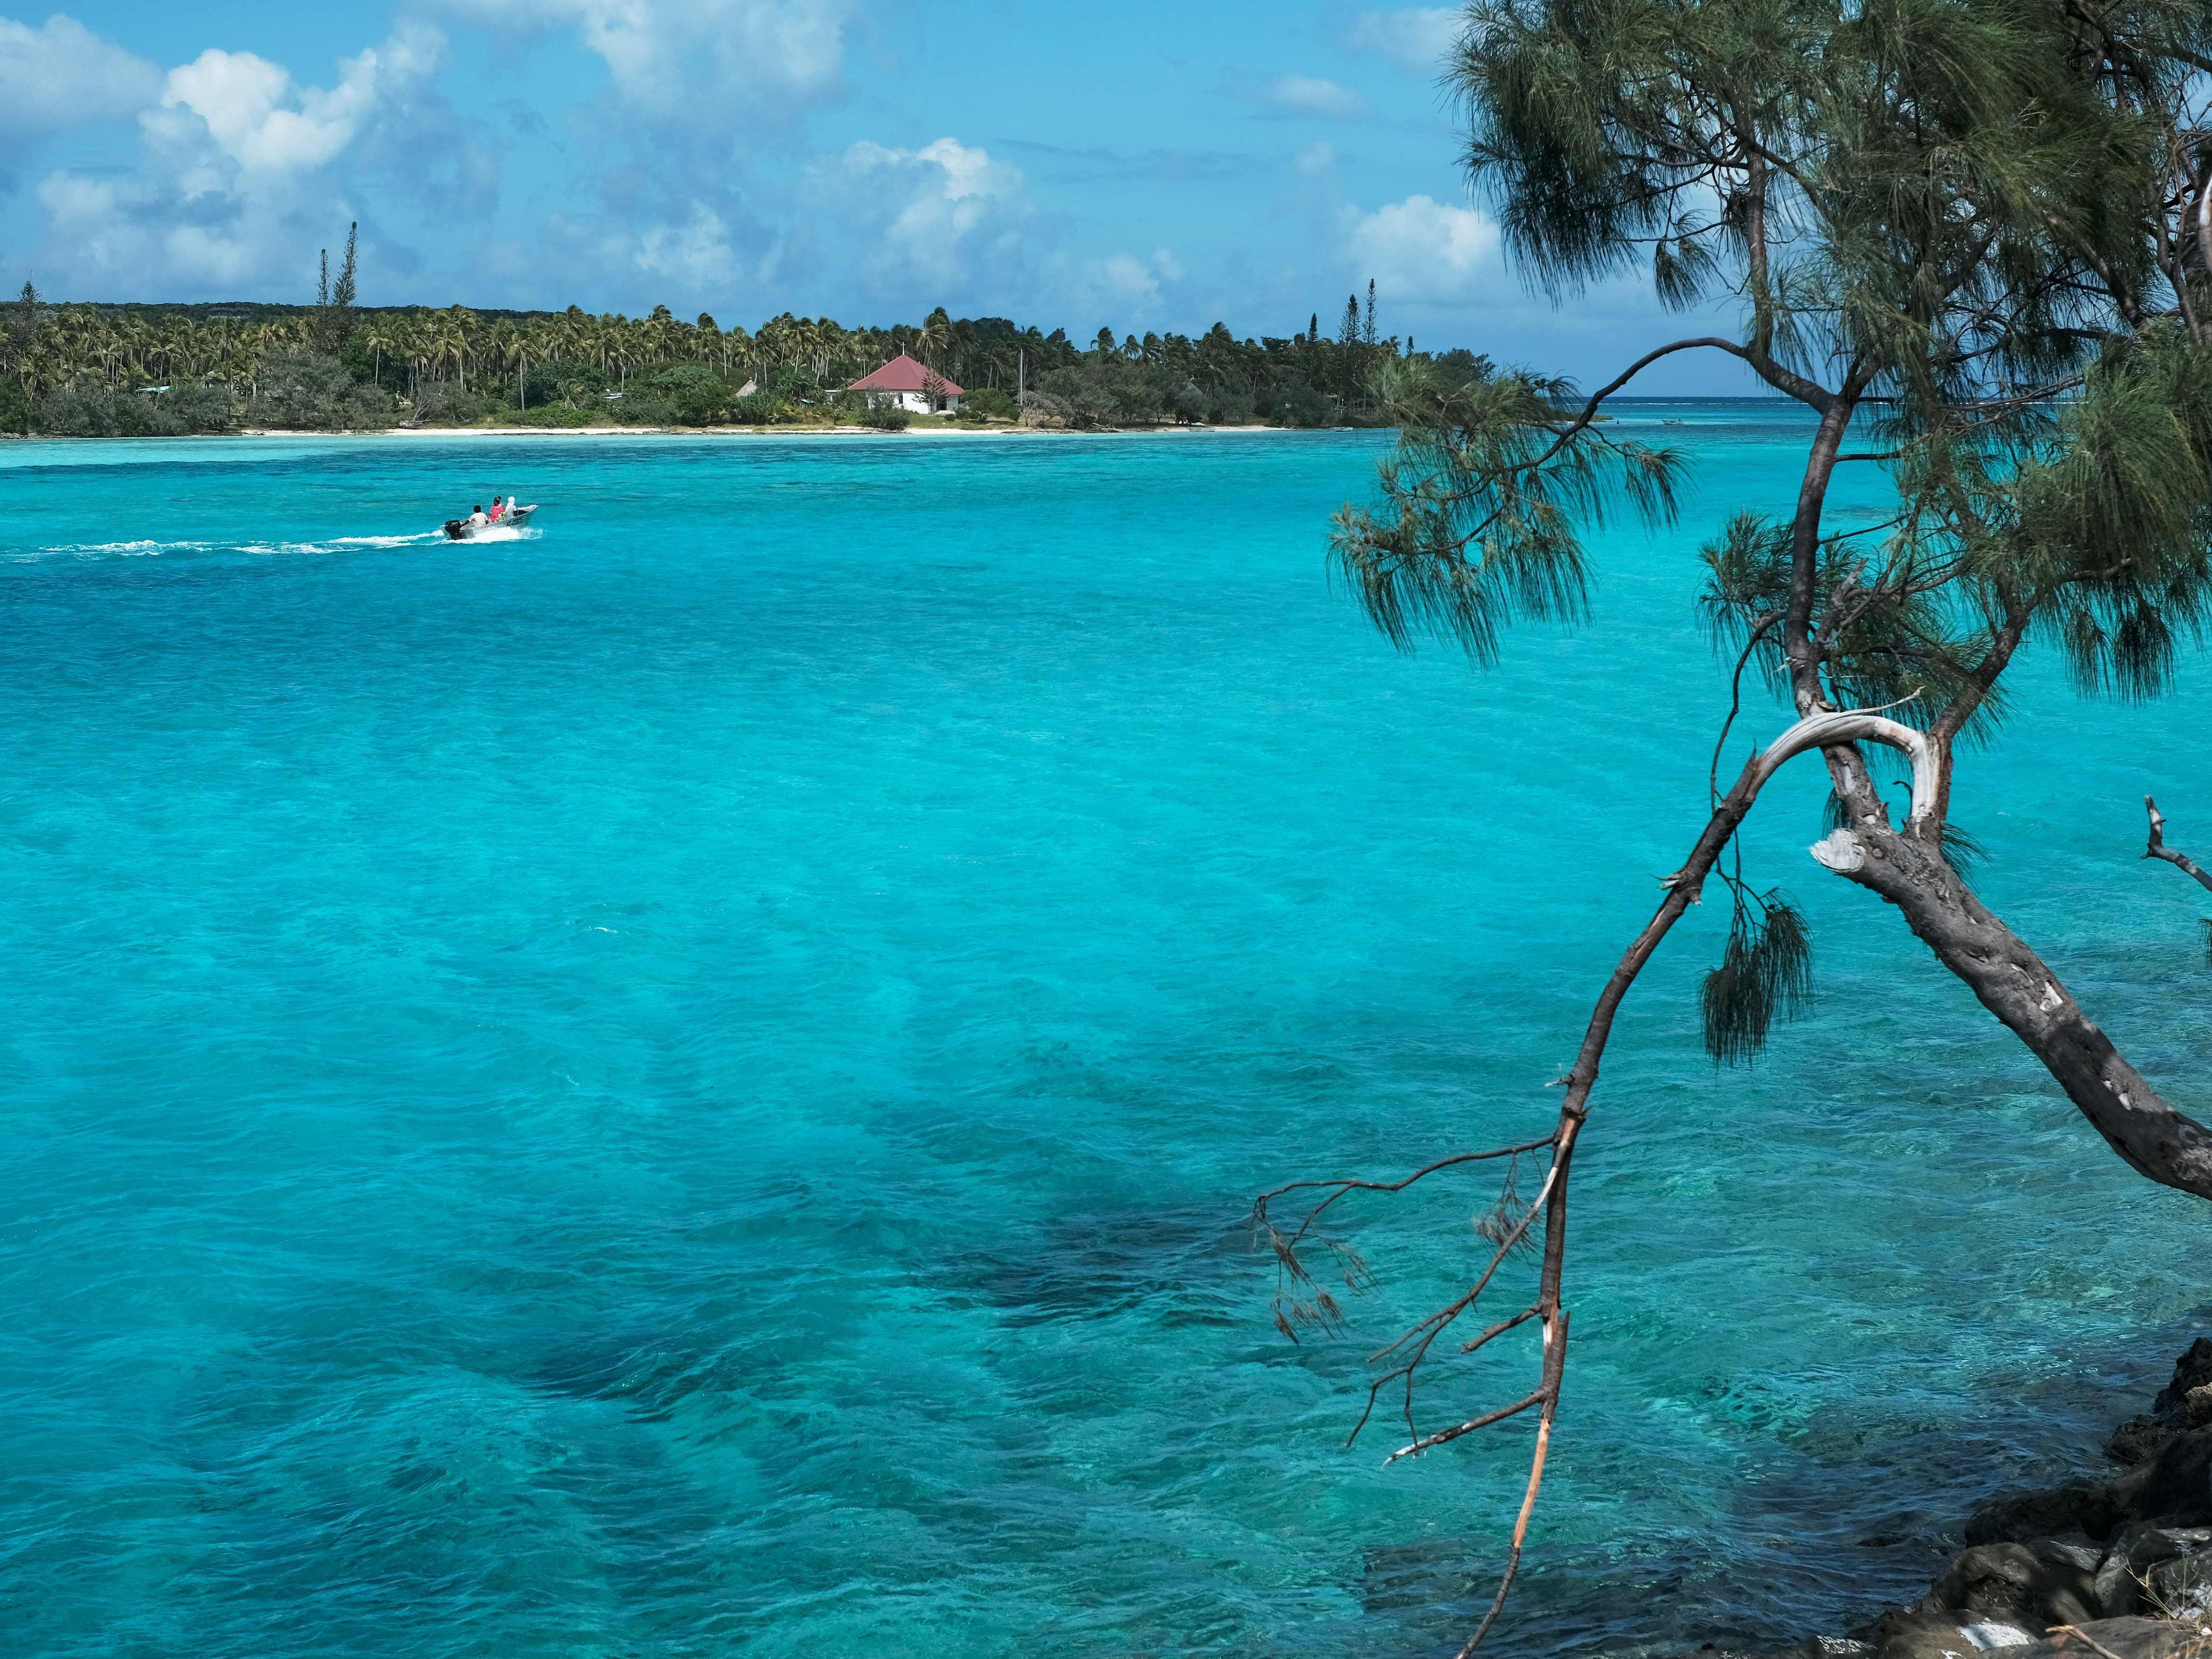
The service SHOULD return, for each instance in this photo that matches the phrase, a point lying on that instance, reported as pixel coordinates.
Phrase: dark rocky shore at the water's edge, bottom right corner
(2094, 1569)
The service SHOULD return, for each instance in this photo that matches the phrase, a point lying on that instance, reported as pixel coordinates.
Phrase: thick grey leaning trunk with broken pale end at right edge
(2027, 997)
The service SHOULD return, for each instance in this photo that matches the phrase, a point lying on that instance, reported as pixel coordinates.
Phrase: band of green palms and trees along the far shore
(335, 366)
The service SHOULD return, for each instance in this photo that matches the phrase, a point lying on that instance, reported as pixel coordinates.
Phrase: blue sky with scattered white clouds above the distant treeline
(1138, 165)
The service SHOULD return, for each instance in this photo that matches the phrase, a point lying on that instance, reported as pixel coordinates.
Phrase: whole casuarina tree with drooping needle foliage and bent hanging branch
(1972, 238)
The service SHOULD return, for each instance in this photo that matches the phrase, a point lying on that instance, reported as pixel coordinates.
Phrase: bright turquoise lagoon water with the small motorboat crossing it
(689, 1083)
